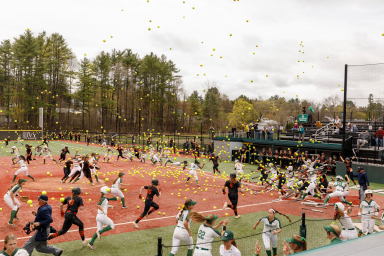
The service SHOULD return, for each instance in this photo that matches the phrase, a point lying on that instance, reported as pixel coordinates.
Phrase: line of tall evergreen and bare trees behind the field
(119, 91)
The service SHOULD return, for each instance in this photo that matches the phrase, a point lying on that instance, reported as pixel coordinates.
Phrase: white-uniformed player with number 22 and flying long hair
(207, 232)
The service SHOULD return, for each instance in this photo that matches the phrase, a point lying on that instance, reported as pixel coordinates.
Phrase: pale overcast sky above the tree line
(348, 32)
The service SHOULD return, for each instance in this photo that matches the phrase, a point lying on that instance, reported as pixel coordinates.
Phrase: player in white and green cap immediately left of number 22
(182, 231)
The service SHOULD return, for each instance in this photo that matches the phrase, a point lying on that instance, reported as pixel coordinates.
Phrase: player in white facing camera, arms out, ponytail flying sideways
(272, 227)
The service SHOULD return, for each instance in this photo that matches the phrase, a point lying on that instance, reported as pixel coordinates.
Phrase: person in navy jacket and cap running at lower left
(42, 223)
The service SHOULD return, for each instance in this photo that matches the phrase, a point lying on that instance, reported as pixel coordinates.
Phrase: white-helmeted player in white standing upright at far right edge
(367, 208)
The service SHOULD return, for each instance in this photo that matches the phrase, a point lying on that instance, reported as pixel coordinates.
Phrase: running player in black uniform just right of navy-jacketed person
(74, 202)
